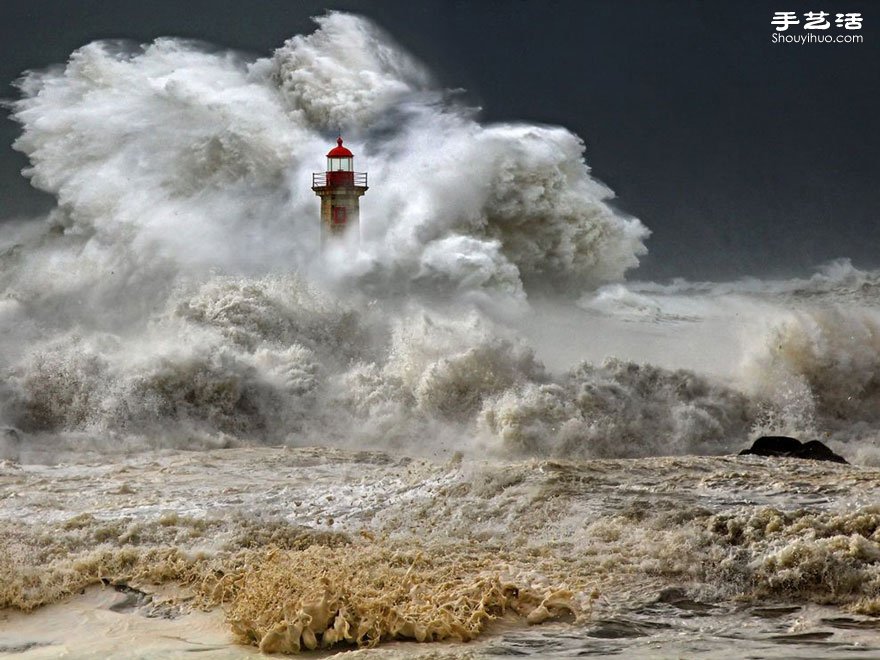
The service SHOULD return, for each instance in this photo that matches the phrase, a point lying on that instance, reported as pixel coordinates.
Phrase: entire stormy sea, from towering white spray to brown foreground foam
(472, 429)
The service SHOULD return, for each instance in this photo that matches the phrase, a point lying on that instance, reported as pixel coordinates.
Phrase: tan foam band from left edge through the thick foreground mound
(306, 590)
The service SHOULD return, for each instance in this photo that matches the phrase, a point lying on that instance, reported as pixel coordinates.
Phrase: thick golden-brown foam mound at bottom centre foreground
(363, 595)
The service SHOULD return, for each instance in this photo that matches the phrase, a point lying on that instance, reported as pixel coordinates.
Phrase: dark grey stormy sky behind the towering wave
(743, 156)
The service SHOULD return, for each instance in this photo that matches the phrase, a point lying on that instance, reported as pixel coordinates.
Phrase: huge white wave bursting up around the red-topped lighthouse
(203, 157)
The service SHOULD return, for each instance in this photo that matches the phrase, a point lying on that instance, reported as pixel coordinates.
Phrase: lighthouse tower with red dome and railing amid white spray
(340, 189)
